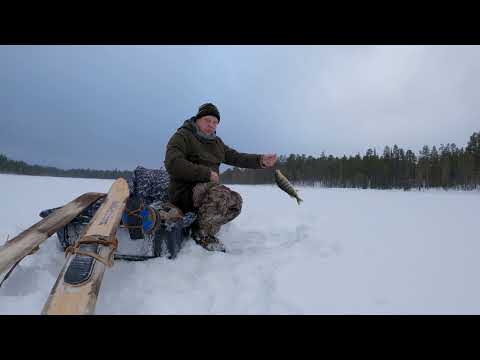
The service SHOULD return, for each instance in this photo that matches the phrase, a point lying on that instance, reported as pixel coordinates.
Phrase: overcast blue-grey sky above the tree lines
(108, 107)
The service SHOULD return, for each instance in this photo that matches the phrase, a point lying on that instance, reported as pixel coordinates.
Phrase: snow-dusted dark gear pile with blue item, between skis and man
(150, 227)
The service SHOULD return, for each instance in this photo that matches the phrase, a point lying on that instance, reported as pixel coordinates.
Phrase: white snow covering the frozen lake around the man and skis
(342, 251)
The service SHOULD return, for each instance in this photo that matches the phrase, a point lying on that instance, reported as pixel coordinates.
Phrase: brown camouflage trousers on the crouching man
(216, 205)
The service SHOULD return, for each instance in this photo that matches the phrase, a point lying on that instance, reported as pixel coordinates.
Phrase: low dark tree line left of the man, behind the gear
(8, 166)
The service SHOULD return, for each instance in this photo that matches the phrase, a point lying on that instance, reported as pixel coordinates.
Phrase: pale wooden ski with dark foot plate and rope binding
(76, 289)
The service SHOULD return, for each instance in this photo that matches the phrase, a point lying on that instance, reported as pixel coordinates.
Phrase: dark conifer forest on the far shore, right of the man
(444, 167)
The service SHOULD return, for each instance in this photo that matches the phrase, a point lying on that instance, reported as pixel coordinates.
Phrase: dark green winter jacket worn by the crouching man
(190, 158)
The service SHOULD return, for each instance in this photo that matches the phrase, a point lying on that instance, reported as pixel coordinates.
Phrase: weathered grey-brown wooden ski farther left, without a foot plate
(27, 242)
